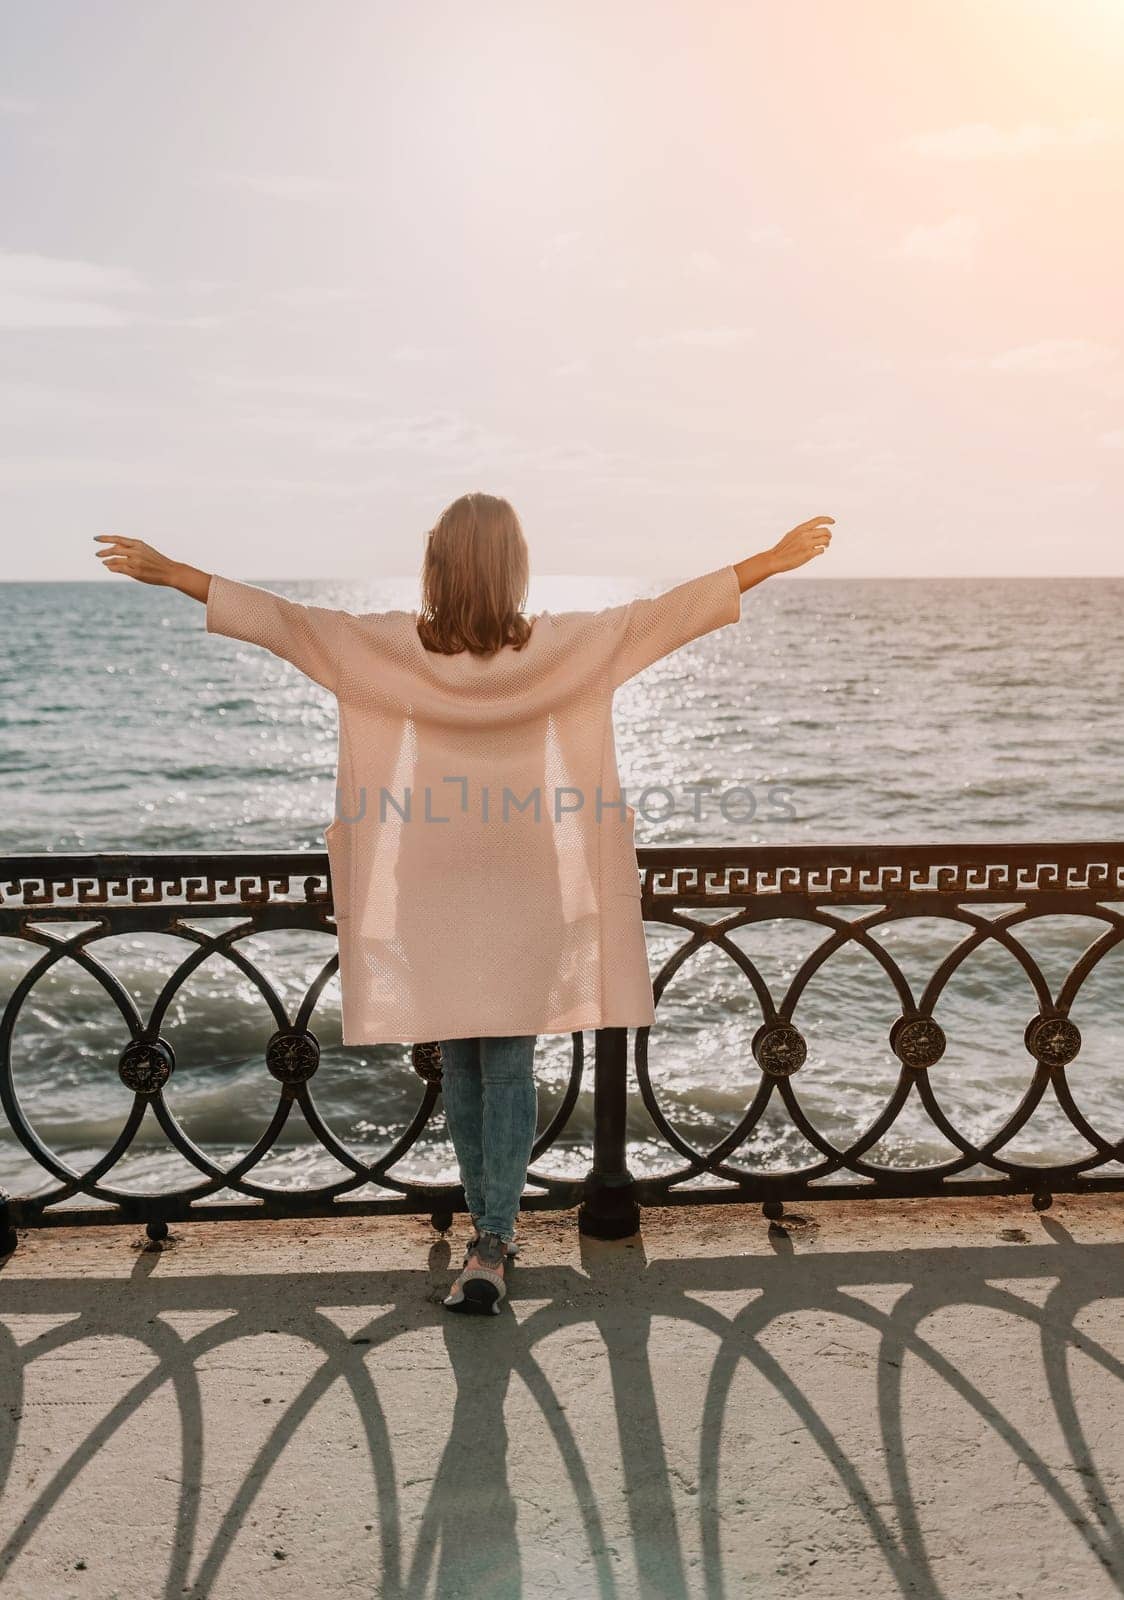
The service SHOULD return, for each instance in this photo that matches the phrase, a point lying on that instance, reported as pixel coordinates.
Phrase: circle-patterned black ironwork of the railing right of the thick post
(917, 1039)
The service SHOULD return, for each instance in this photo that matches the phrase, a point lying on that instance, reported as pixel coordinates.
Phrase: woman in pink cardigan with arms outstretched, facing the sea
(483, 855)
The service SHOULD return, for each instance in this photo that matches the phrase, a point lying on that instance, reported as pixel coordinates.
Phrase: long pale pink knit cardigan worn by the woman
(483, 863)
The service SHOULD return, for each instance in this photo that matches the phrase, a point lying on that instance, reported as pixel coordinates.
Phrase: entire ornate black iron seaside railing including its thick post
(62, 906)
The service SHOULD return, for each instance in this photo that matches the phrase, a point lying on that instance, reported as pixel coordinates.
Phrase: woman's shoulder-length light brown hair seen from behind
(475, 578)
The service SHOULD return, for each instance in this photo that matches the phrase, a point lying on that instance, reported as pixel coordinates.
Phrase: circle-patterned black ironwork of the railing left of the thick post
(292, 1052)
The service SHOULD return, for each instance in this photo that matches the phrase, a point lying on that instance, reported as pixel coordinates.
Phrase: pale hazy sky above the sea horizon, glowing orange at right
(281, 279)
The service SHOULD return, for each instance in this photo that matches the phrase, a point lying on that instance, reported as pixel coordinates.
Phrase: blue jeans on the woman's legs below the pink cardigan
(492, 1113)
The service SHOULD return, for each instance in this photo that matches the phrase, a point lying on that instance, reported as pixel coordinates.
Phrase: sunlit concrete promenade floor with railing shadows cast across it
(897, 1398)
